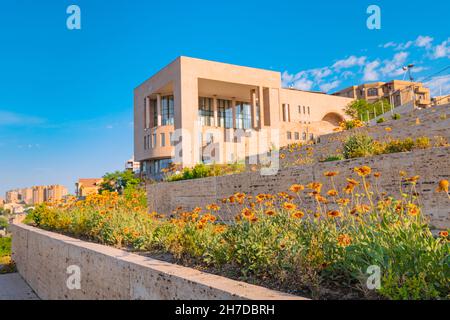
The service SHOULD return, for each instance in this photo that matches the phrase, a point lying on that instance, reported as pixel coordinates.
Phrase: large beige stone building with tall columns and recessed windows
(194, 107)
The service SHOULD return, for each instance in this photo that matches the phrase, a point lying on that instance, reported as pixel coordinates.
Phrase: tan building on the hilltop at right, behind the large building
(397, 92)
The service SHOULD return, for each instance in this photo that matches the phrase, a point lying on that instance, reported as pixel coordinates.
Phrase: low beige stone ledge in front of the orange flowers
(42, 258)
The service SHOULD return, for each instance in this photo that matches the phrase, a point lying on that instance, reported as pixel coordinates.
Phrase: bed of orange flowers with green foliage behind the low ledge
(323, 253)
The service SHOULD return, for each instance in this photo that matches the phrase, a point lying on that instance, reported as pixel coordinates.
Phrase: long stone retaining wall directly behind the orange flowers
(431, 164)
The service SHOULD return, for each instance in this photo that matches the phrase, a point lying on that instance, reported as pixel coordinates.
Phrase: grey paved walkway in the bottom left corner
(13, 287)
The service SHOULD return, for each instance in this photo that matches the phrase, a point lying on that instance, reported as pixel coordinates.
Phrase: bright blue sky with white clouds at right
(66, 96)
